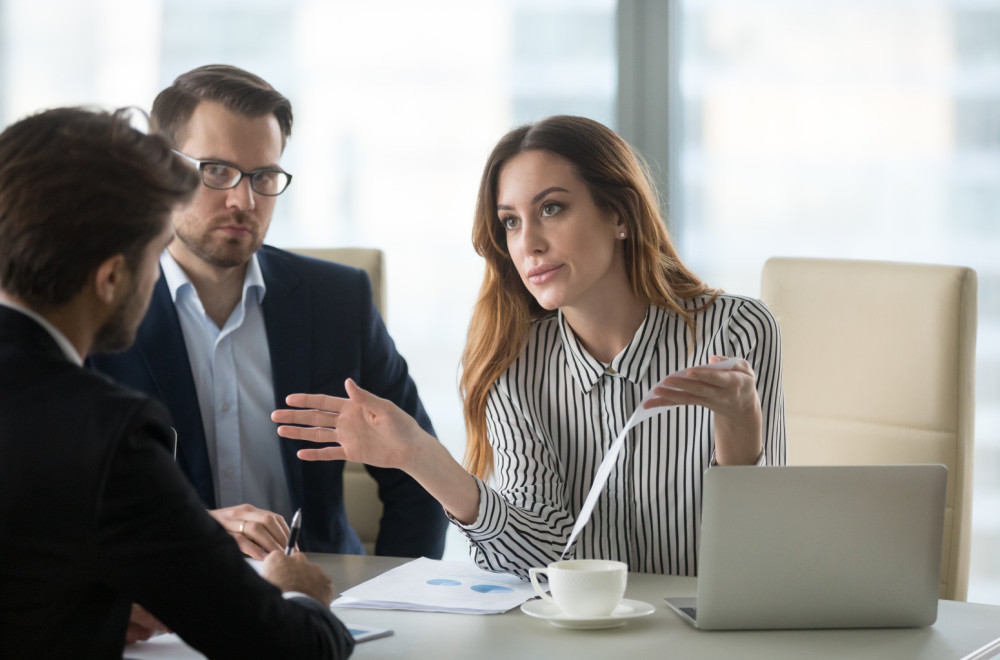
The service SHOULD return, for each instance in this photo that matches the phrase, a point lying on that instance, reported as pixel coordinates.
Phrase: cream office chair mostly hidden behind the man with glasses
(364, 508)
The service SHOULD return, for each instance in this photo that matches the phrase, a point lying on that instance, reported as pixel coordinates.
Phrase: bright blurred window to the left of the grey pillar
(397, 104)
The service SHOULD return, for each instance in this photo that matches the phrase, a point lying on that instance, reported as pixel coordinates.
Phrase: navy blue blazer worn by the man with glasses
(322, 328)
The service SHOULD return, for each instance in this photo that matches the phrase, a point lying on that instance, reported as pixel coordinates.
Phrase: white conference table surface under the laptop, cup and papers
(961, 630)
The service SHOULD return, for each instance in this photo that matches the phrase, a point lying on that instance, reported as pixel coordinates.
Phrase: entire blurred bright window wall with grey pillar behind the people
(857, 129)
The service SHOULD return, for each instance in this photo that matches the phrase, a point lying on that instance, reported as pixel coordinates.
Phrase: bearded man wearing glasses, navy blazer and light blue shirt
(235, 326)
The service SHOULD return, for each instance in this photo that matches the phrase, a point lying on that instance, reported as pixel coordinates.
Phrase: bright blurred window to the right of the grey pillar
(854, 129)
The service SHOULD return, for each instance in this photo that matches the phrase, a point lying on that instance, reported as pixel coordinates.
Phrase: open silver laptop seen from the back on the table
(819, 547)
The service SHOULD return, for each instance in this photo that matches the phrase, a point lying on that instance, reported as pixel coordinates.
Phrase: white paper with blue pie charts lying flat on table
(431, 585)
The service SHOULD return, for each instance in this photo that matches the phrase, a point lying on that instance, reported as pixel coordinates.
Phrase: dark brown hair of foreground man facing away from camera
(77, 187)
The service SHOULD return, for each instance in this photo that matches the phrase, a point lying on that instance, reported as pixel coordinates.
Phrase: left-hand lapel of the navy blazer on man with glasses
(160, 342)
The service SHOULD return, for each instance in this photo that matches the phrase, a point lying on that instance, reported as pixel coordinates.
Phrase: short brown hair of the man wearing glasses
(239, 91)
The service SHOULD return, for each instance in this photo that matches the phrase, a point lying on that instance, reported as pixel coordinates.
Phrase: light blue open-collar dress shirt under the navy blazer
(232, 373)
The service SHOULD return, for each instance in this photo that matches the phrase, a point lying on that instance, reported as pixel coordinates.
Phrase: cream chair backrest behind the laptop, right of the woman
(879, 367)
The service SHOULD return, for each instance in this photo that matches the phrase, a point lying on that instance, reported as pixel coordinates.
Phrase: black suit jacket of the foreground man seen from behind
(95, 515)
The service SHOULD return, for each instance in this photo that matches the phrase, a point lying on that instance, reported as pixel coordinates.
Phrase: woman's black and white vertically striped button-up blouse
(556, 411)
